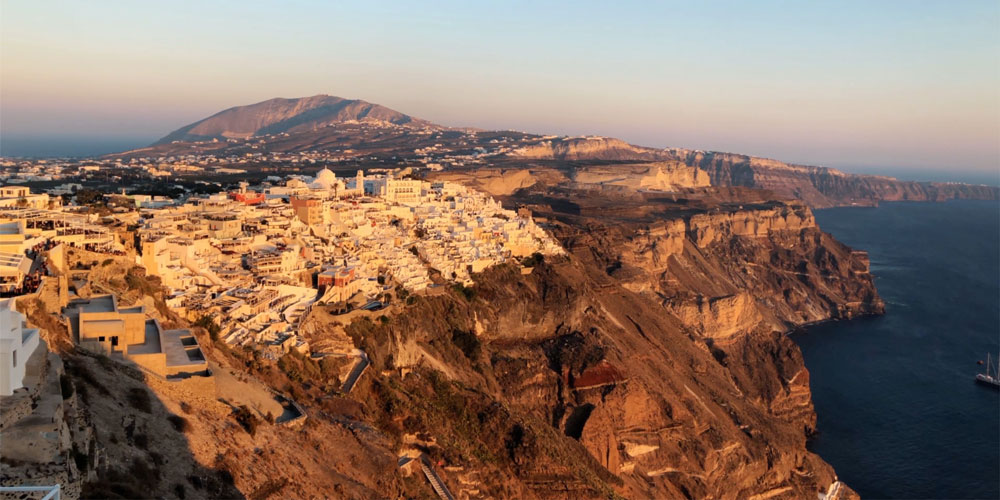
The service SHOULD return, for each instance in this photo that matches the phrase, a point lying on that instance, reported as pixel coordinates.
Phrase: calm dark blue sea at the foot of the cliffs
(899, 413)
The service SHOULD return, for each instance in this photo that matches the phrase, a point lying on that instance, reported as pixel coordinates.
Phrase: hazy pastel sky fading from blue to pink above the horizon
(850, 84)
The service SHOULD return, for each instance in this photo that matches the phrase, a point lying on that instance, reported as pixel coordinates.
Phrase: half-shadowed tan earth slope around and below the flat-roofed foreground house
(133, 435)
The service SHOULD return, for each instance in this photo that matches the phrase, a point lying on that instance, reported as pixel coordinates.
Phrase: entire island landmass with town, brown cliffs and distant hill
(453, 313)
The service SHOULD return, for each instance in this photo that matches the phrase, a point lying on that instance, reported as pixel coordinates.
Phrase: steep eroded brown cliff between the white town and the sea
(651, 362)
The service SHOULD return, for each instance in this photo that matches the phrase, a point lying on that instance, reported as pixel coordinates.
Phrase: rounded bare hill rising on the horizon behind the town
(279, 115)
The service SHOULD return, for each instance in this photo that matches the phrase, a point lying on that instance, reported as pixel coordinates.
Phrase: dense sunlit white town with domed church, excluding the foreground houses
(257, 260)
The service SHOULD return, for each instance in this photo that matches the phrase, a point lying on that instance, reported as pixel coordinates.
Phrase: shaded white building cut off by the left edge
(17, 343)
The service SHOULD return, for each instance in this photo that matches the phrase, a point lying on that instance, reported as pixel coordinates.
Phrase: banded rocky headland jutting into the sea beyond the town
(761, 266)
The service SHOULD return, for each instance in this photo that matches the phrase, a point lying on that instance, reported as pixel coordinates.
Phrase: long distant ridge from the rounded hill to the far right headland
(355, 130)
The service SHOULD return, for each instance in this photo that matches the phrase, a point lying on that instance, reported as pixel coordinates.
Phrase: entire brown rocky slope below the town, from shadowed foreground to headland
(648, 363)
